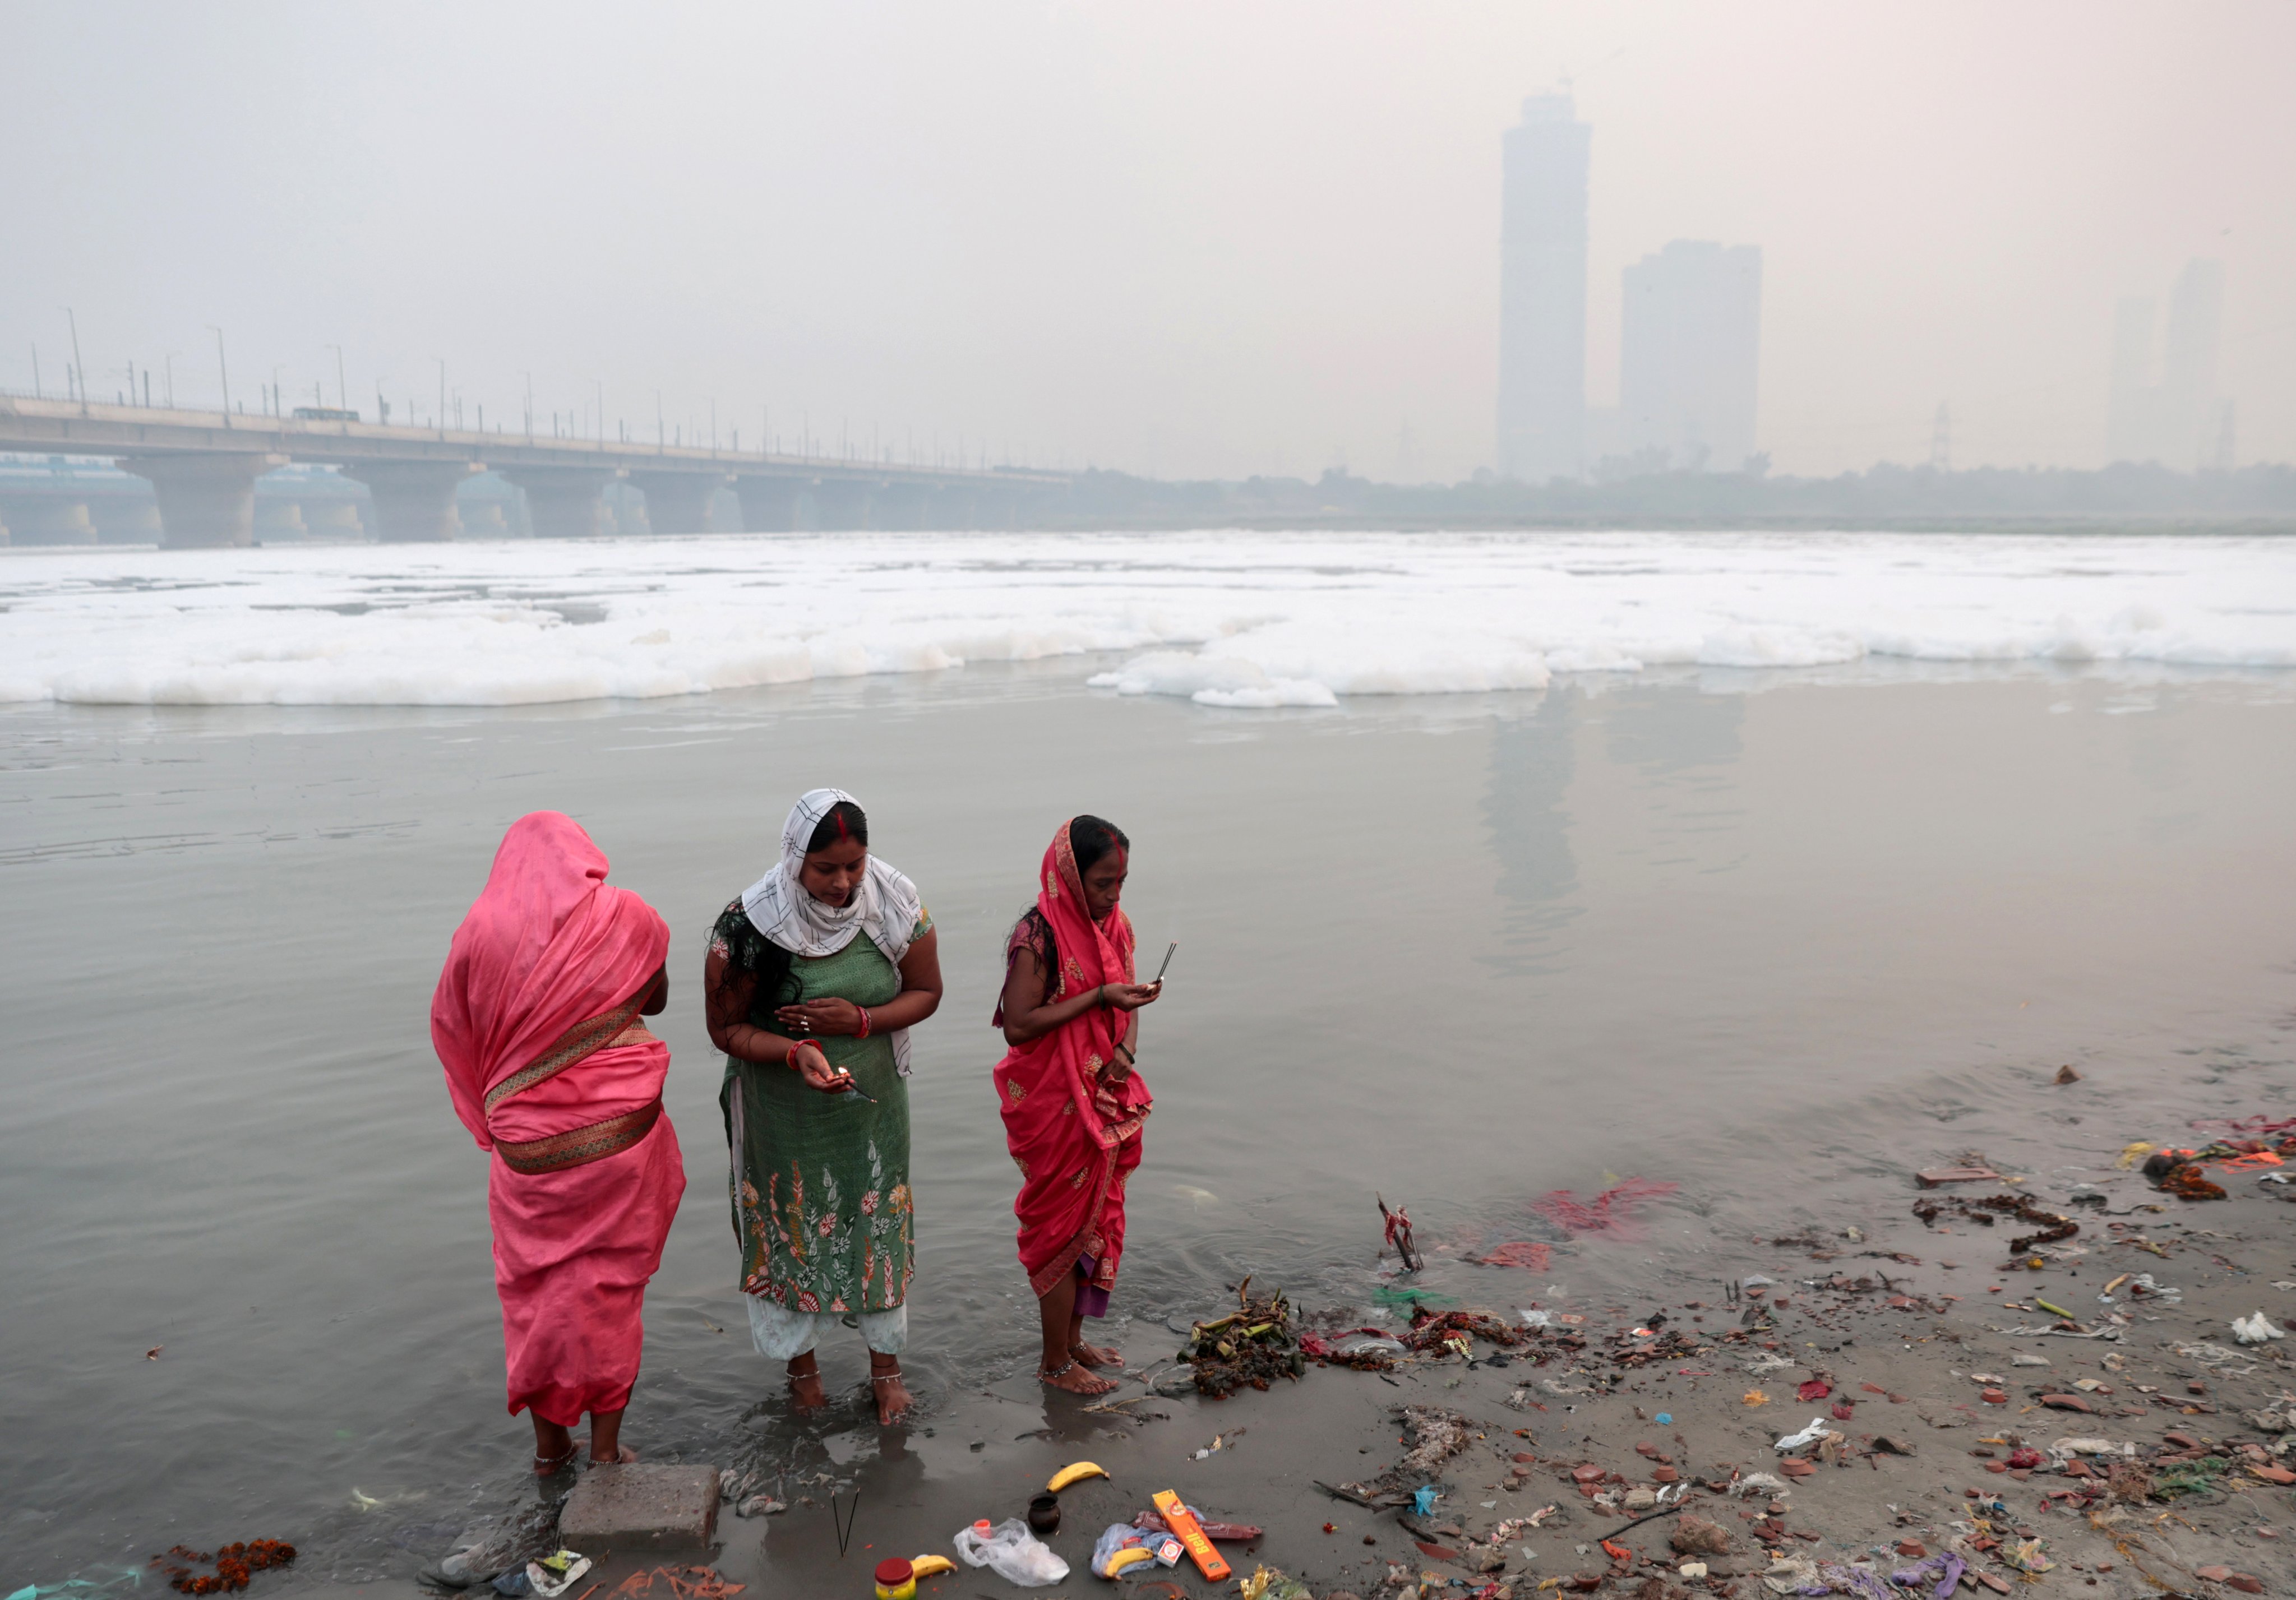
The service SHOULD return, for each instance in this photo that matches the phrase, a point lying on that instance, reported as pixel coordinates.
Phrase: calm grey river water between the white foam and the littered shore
(1771, 938)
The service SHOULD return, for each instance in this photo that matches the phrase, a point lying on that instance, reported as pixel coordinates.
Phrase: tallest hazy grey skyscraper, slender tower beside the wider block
(1544, 293)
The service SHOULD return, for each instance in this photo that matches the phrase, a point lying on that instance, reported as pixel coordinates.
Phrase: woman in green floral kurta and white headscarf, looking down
(812, 986)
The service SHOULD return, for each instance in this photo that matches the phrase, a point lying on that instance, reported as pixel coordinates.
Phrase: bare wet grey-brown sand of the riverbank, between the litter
(1909, 1326)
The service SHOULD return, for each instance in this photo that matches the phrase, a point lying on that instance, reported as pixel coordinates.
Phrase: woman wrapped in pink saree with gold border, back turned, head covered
(538, 1025)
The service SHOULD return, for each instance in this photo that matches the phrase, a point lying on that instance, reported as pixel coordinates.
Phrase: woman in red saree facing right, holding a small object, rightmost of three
(1071, 1101)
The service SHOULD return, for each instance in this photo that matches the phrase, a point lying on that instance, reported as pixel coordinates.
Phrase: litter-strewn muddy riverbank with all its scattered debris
(2070, 1378)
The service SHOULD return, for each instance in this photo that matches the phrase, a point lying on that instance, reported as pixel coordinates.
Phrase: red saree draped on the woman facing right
(1073, 1137)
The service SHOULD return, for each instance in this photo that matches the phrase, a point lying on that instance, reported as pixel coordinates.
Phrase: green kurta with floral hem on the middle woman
(821, 1197)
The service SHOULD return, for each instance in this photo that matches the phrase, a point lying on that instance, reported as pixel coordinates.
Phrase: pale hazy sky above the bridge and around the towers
(1195, 240)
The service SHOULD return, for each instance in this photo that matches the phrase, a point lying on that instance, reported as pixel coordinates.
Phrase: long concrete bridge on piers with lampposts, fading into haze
(203, 469)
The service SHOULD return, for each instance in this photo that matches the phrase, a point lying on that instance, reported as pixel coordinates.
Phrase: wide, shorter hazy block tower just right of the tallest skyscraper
(1691, 352)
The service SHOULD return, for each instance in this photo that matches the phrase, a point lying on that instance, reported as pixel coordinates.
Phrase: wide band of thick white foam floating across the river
(1252, 621)
